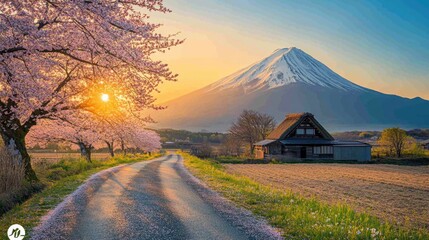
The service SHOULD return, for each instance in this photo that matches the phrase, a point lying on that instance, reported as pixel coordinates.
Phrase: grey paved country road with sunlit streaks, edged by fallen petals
(147, 200)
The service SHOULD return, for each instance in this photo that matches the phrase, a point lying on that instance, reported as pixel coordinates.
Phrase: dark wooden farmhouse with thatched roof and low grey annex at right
(300, 136)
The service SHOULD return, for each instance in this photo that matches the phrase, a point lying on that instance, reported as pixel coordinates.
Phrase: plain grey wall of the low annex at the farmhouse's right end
(357, 153)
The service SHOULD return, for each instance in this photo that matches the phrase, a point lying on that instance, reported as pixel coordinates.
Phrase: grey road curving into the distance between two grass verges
(155, 199)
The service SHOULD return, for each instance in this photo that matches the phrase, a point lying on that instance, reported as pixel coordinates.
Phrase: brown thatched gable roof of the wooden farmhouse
(291, 122)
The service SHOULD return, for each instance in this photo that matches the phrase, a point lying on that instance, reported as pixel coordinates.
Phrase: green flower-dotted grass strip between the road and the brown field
(297, 217)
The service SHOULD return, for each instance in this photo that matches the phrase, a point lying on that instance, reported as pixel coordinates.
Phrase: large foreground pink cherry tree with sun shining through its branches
(58, 56)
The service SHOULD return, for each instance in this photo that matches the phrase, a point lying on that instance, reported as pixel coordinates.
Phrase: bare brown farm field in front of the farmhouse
(397, 193)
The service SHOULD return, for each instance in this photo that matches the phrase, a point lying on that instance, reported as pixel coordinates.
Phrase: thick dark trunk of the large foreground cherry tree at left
(14, 141)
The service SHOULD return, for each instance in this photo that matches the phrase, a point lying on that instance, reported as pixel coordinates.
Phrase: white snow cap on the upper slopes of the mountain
(283, 67)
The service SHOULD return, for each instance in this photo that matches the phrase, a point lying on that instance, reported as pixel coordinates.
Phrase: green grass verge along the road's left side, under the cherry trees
(61, 179)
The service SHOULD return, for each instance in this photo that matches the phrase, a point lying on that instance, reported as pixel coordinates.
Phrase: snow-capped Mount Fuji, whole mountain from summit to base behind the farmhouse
(290, 80)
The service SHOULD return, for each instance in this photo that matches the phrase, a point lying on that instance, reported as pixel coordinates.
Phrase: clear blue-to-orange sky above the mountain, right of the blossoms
(383, 46)
